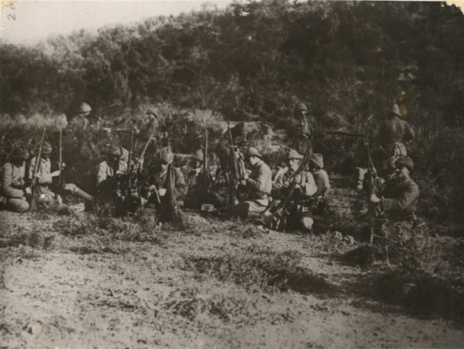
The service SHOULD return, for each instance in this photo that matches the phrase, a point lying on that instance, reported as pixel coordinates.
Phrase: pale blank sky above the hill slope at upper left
(32, 20)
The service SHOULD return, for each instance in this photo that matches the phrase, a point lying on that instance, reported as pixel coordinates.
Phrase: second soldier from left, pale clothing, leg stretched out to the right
(45, 178)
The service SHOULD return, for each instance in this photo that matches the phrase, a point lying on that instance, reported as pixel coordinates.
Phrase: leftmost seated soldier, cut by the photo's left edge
(13, 181)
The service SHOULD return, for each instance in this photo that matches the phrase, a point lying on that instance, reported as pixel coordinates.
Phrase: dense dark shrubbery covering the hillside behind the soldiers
(253, 61)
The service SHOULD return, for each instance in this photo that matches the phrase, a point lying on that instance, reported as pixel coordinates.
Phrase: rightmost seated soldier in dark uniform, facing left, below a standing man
(399, 199)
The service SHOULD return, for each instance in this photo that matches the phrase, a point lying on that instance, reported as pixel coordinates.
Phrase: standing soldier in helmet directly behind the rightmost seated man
(392, 134)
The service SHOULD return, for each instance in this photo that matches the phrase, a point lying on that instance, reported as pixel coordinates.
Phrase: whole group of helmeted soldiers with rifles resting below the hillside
(238, 184)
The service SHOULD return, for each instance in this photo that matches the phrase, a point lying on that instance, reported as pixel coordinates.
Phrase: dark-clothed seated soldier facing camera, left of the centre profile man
(165, 189)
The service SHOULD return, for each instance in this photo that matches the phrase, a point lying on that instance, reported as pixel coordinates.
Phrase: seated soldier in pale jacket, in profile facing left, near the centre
(257, 188)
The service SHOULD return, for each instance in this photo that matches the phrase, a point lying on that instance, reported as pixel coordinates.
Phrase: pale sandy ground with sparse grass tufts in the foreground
(73, 292)
